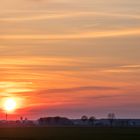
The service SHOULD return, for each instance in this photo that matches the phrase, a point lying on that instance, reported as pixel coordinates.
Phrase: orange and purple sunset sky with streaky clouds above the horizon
(70, 58)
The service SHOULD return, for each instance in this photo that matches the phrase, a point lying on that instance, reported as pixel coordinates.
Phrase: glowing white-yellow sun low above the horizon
(10, 105)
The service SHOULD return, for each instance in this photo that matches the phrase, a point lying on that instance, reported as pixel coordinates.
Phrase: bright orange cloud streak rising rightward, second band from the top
(78, 35)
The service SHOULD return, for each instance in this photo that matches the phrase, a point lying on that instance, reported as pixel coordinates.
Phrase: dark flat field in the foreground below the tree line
(69, 133)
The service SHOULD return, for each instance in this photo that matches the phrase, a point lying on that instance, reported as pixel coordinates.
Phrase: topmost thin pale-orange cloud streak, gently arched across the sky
(44, 15)
